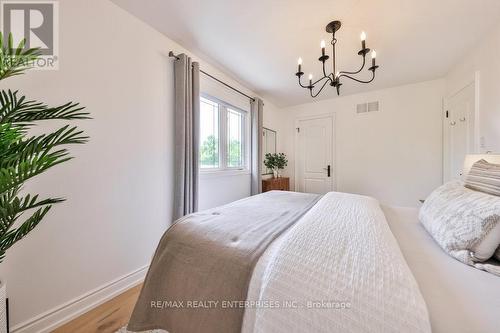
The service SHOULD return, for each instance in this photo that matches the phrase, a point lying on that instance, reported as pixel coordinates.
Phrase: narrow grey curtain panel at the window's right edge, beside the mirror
(256, 107)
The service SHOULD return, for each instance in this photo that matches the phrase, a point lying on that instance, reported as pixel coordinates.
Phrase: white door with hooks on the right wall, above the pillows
(459, 131)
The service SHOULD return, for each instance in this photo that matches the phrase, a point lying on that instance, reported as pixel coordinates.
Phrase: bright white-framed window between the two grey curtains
(223, 136)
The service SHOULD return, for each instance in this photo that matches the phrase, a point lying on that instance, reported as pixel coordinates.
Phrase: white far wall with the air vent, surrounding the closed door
(394, 155)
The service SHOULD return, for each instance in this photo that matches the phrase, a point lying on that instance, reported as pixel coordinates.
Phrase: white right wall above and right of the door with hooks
(483, 58)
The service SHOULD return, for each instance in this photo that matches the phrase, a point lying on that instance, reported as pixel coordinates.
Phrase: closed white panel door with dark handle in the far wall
(314, 160)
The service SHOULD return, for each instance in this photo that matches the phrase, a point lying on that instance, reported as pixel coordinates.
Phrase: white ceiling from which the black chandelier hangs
(258, 42)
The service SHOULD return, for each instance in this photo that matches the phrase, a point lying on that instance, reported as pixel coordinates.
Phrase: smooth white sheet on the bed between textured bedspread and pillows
(459, 298)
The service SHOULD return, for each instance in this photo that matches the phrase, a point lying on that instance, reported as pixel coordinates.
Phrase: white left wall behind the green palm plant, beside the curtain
(119, 187)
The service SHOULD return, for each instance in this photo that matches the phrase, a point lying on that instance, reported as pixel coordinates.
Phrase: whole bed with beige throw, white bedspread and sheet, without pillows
(339, 263)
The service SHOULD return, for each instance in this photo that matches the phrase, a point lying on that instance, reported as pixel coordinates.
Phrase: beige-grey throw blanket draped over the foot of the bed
(199, 277)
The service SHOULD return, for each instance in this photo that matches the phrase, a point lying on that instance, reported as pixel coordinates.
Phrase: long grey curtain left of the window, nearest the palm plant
(187, 123)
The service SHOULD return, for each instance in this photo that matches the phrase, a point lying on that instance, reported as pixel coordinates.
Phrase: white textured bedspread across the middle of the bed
(342, 257)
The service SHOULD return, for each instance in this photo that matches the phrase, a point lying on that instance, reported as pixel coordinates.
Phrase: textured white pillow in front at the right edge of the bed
(465, 223)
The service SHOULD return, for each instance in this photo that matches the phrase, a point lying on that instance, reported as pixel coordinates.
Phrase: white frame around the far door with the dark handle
(331, 115)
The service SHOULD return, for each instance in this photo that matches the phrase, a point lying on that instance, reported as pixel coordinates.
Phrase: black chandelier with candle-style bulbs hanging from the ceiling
(334, 77)
